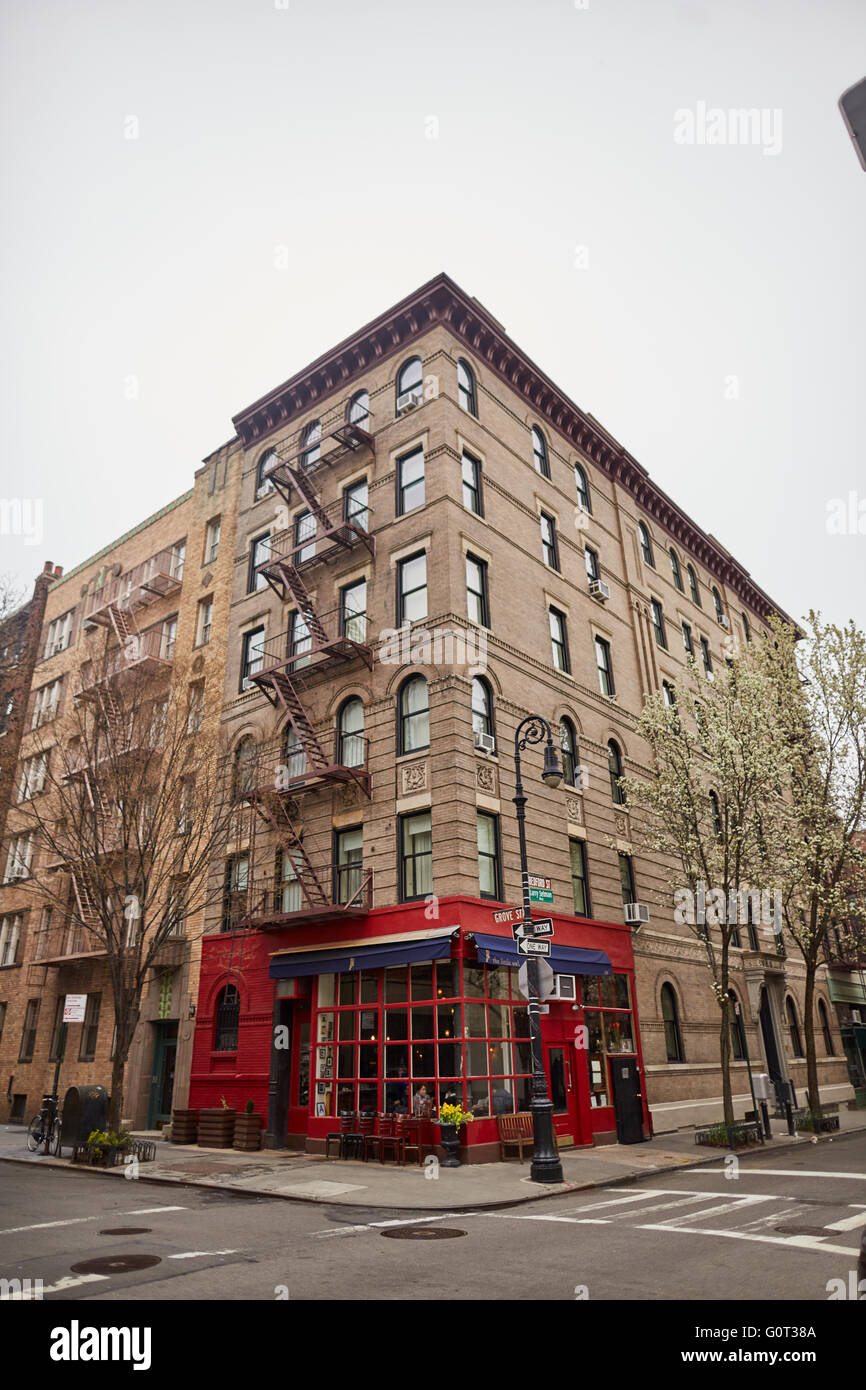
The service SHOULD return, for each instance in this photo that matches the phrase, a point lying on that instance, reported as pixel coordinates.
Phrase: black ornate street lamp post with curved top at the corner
(547, 1167)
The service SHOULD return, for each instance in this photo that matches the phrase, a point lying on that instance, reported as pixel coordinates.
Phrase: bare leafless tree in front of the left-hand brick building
(130, 812)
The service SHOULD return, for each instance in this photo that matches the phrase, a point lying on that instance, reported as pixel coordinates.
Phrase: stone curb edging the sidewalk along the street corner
(457, 1209)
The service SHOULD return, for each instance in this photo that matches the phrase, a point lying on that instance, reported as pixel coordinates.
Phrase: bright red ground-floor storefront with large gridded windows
(370, 1036)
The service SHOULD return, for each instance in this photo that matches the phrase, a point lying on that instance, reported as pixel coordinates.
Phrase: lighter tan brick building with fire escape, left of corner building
(158, 580)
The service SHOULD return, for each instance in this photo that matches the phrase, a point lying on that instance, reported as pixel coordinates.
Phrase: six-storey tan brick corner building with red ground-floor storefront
(426, 472)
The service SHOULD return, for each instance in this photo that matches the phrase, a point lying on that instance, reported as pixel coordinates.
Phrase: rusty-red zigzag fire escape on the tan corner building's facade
(333, 640)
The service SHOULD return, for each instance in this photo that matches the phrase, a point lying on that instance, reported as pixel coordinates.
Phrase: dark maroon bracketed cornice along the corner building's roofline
(443, 302)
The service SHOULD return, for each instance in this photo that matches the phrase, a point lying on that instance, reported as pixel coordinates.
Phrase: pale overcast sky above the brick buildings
(202, 197)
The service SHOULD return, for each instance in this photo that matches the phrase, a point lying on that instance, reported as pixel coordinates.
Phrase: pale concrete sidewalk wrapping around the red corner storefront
(354, 1184)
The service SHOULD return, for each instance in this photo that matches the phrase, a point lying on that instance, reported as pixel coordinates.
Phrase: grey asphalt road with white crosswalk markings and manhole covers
(782, 1228)
